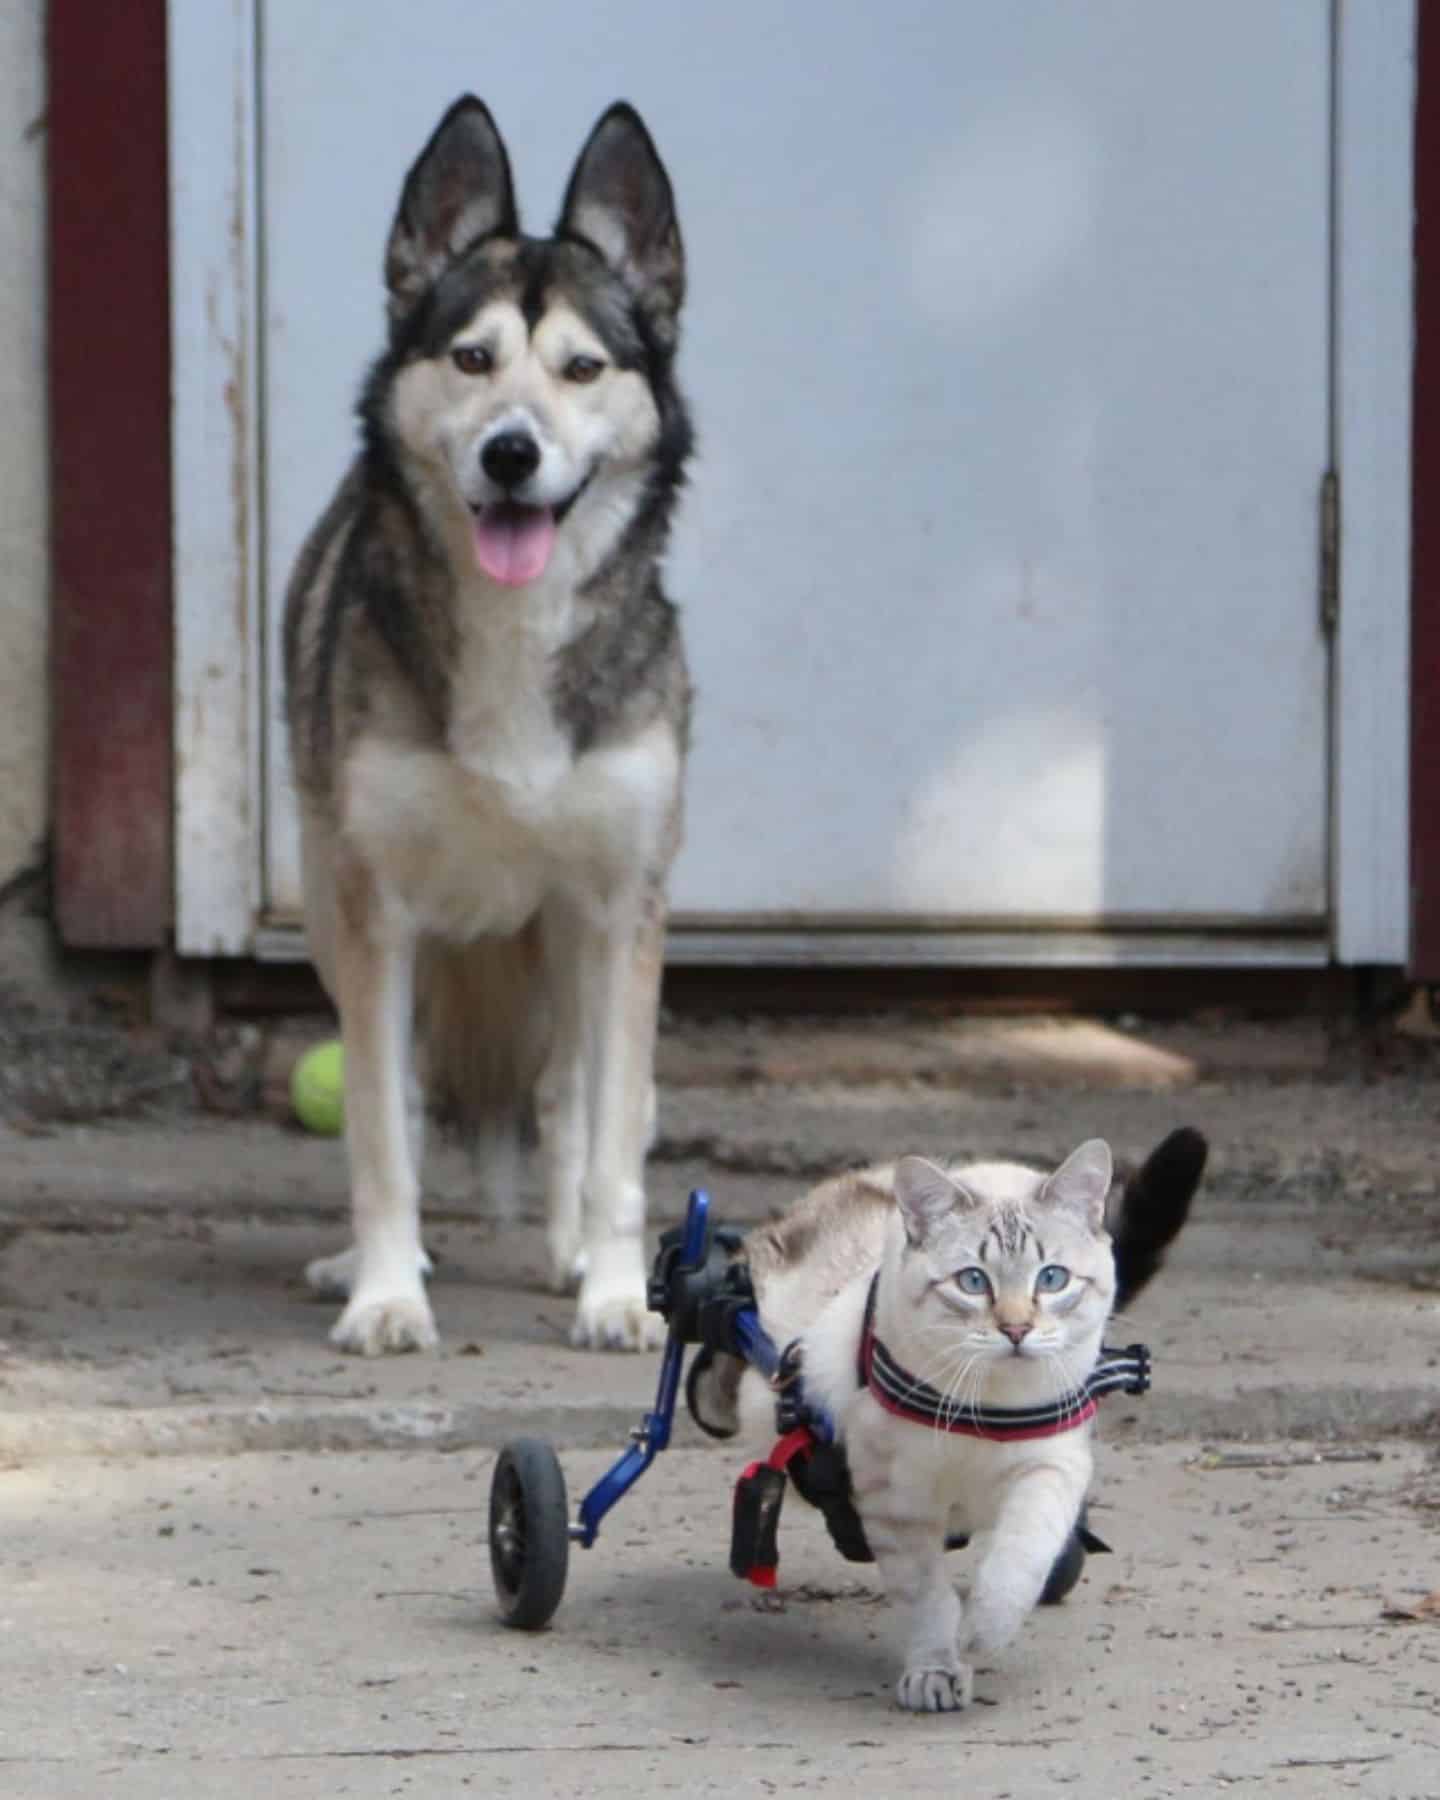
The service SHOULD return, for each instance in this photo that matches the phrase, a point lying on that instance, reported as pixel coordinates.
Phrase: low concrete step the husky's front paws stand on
(181, 1326)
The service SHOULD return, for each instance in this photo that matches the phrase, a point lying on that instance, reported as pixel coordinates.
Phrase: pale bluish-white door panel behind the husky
(1009, 352)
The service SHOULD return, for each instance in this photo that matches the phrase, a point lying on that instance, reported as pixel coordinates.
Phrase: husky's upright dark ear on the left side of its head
(456, 193)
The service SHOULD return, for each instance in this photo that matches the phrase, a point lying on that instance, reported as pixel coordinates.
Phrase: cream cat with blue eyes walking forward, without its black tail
(985, 1286)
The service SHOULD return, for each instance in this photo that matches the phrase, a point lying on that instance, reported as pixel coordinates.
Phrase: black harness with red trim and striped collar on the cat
(809, 1455)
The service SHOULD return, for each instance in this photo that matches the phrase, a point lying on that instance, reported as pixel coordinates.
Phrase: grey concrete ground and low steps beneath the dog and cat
(240, 1561)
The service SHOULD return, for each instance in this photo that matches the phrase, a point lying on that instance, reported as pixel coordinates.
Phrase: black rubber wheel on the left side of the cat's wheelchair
(530, 1533)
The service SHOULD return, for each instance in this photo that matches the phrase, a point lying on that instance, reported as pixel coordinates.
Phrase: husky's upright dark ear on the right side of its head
(620, 201)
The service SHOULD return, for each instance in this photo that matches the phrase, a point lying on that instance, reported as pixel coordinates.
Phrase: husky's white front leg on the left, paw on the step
(375, 976)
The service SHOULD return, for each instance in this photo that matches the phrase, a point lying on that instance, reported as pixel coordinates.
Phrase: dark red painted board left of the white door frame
(111, 508)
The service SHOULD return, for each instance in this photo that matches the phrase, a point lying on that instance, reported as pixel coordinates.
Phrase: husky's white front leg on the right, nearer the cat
(620, 985)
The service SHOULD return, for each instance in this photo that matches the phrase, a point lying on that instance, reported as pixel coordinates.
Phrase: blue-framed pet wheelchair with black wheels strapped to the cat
(706, 1299)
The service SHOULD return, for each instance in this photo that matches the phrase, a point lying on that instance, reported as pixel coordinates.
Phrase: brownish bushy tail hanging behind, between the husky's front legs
(483, 1032)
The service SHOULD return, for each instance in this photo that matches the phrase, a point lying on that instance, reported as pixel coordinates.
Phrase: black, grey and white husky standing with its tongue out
(489, 714)
